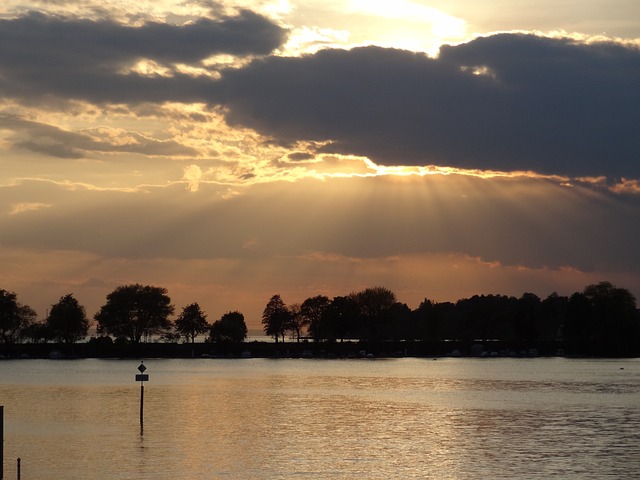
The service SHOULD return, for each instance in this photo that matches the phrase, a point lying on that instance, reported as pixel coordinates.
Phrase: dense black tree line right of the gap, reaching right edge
(601, 319)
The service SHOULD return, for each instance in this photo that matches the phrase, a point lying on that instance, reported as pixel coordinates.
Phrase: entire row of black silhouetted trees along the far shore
(600, 319)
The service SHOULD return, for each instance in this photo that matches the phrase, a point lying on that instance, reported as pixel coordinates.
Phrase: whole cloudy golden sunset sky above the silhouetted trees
(229, 151)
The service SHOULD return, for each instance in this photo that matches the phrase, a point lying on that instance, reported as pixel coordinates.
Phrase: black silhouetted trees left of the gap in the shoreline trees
(131, 314)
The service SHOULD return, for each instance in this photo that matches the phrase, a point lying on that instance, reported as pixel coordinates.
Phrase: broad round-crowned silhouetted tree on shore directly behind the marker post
(134, 311)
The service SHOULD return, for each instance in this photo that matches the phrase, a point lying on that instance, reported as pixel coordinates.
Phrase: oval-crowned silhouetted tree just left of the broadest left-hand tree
(67, 321)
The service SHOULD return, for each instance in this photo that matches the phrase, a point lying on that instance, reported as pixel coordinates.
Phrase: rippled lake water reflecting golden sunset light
(450, 418)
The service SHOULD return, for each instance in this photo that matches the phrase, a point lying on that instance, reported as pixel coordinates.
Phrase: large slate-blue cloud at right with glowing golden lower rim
(504, 102)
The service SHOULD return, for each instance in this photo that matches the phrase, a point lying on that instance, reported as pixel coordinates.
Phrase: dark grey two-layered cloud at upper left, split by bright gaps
(75, 58)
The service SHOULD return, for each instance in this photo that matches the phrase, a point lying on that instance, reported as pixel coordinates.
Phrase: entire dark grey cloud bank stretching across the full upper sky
(502, 102)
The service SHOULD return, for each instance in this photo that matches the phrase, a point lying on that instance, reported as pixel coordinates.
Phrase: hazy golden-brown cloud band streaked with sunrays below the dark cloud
(514, 221)
